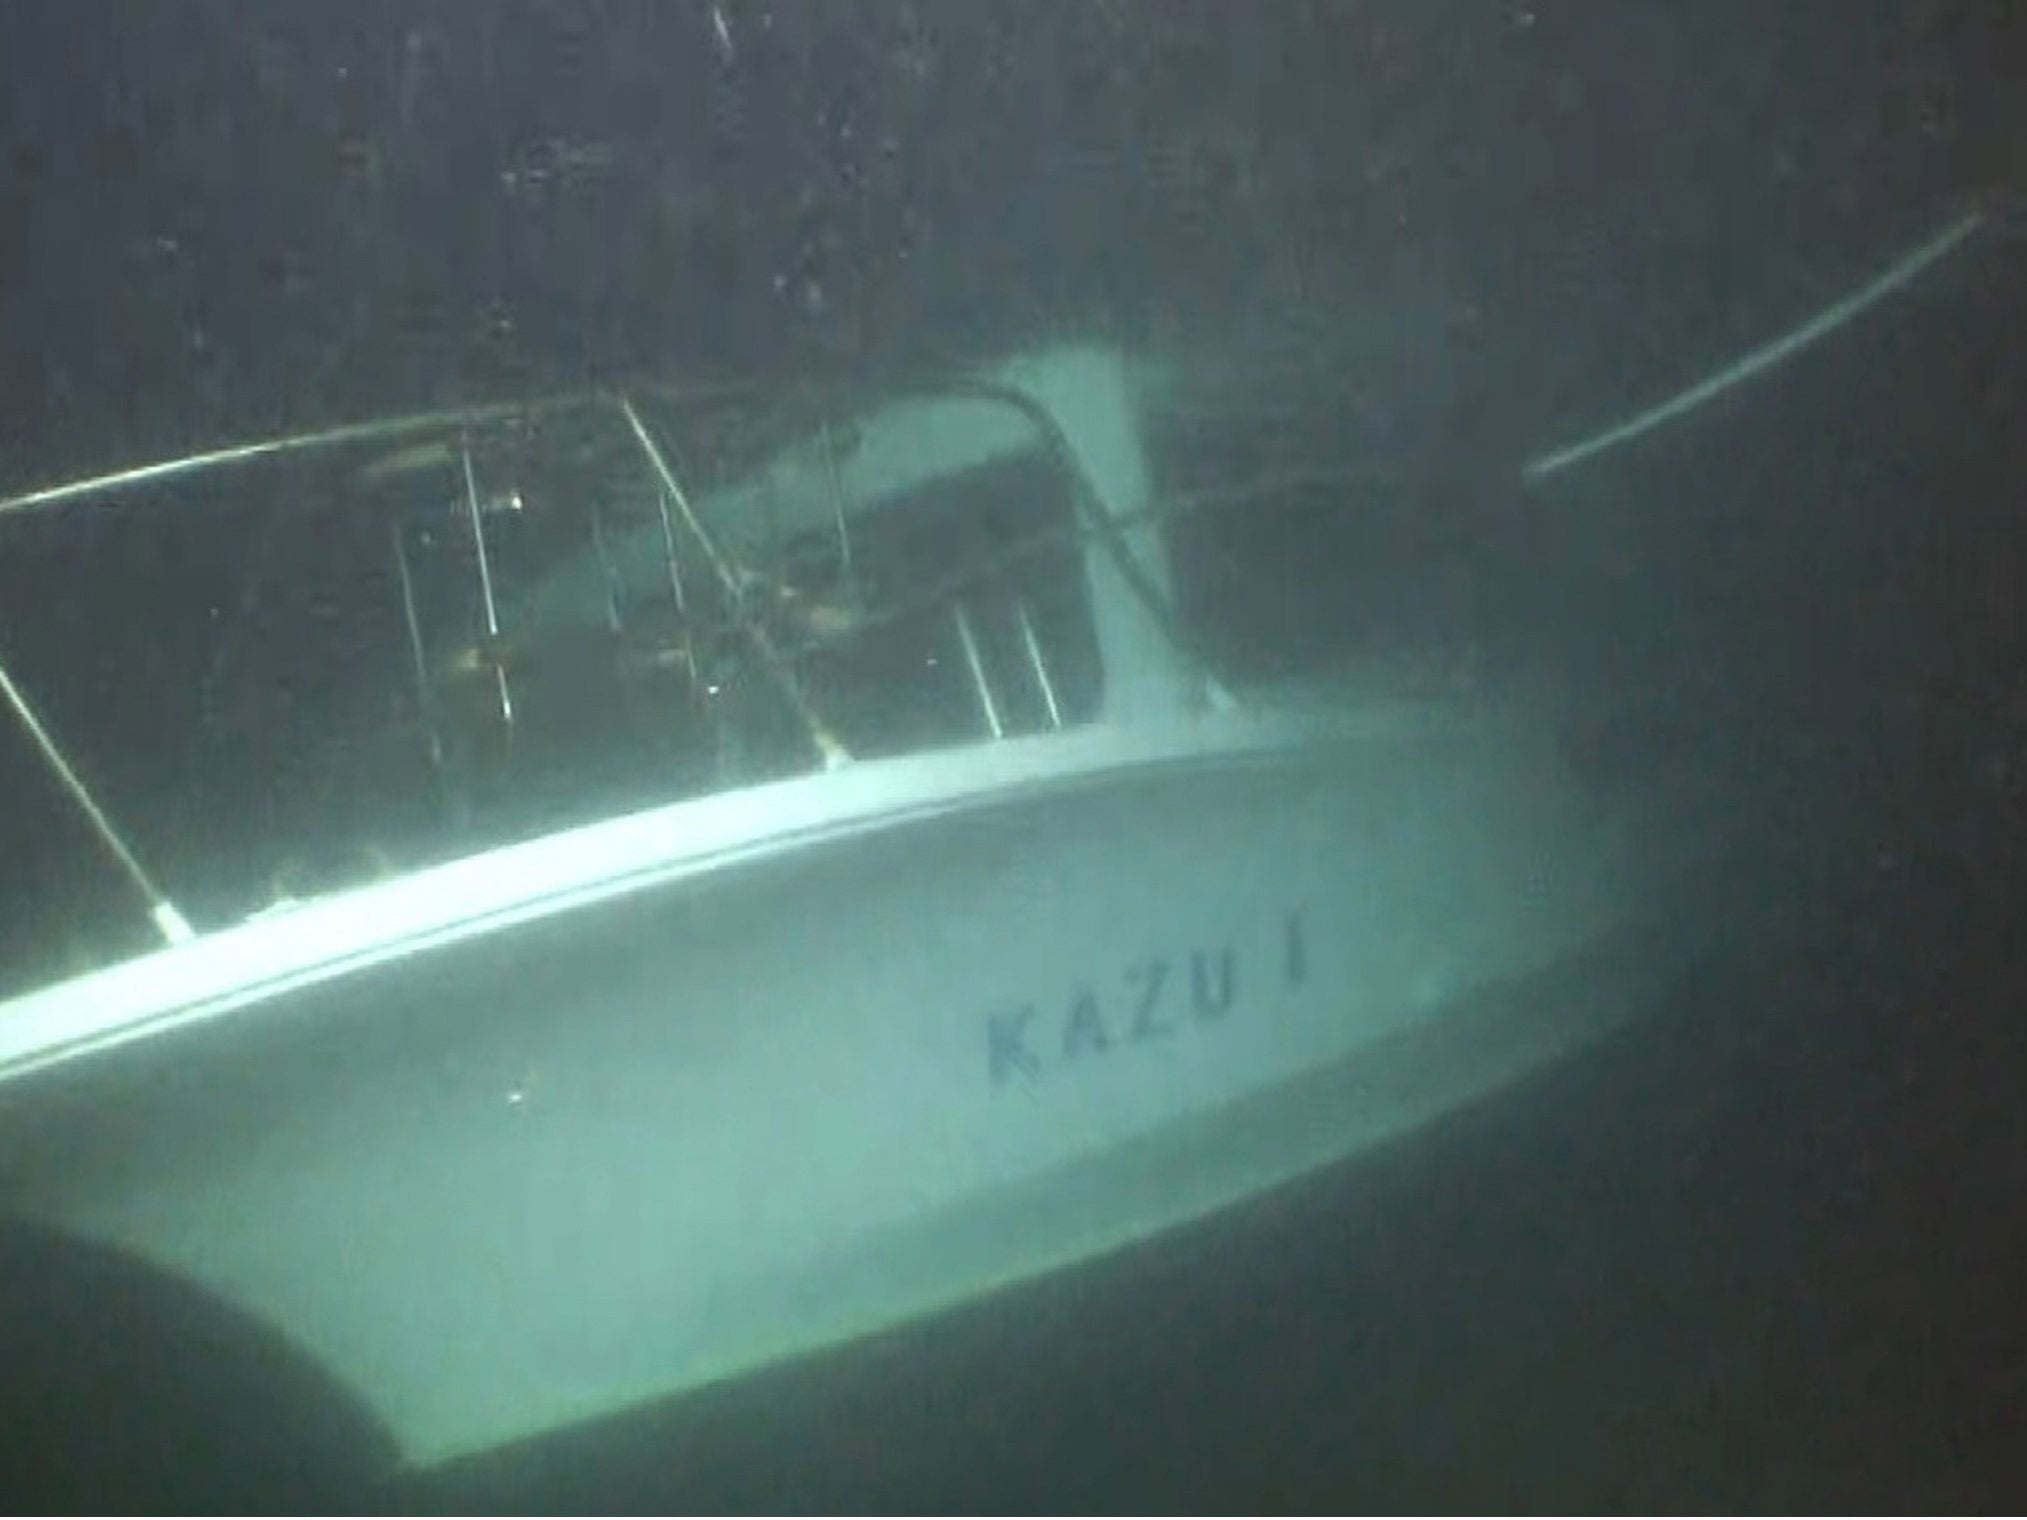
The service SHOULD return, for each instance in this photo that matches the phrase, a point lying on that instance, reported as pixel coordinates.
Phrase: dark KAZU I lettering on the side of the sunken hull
(1144, 1002)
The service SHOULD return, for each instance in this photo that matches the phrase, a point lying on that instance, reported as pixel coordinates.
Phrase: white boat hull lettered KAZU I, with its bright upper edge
(544, 1134)
